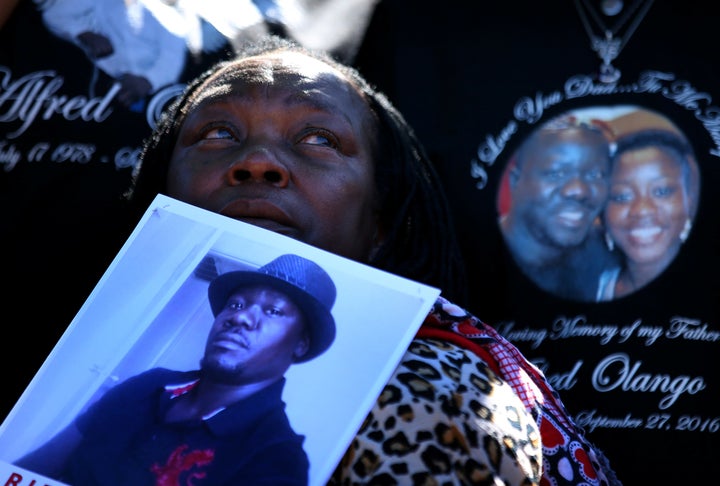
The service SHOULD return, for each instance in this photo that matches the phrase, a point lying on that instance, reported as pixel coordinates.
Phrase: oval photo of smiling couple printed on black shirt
(596, 203)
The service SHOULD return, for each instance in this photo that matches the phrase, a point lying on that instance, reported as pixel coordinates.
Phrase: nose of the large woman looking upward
(258, 164)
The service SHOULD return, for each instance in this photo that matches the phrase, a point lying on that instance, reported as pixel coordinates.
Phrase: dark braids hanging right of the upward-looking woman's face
(420, 240)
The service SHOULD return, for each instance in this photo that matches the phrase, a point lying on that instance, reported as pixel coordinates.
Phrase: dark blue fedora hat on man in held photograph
(302, 280)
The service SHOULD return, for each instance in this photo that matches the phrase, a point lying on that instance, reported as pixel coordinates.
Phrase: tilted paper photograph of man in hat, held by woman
(210, 348)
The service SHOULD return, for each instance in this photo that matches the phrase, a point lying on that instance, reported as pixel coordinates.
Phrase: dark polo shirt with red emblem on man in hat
(125, 441)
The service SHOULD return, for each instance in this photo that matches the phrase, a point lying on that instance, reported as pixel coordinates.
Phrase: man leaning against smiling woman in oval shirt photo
(558, 185)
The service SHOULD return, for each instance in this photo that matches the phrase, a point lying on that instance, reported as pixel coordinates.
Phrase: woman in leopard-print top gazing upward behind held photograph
(291, 141)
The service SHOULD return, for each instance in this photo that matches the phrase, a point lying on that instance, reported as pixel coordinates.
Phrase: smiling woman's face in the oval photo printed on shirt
(647, 208)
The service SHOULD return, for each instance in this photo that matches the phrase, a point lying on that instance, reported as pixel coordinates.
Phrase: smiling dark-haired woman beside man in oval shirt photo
(649, 212)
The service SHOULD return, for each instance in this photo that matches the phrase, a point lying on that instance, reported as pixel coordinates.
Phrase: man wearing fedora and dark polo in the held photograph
(224, 423)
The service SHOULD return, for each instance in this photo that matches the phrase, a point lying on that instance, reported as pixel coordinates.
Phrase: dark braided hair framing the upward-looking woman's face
(419, 238)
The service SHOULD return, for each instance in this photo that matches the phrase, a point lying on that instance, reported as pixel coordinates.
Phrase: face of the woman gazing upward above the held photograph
(283, 142)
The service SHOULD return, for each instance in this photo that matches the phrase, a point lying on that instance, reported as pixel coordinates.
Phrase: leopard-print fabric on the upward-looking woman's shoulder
(444, 418)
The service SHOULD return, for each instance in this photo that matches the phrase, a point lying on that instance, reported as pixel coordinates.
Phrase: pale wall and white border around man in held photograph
(151, 309)
